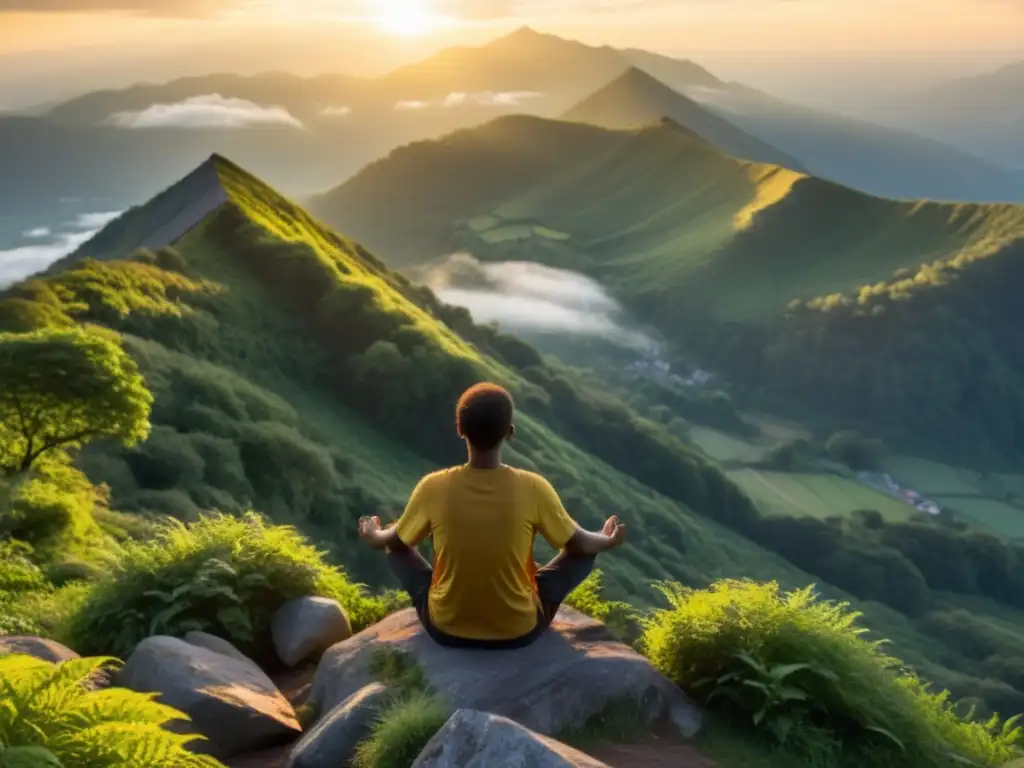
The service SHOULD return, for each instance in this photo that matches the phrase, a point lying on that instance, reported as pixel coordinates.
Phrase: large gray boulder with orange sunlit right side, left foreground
(232, 703)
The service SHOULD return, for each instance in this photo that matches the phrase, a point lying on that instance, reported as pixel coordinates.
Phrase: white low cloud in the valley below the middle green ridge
(527, 297)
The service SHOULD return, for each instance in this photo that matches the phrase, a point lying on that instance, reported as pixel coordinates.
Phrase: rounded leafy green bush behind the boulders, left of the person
(221, 575)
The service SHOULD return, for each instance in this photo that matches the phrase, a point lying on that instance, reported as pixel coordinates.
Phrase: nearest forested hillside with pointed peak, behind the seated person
(293, 373)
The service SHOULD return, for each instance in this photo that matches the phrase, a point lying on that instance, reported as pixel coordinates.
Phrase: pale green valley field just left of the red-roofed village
(819, 496)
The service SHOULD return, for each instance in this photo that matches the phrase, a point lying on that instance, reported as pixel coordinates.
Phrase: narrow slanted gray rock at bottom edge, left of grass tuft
(333, 741)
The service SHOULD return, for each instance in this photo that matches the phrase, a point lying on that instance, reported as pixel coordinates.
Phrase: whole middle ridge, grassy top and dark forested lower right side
(767, 276)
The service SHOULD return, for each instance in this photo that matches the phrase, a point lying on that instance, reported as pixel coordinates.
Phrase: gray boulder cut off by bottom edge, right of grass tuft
(480, 740)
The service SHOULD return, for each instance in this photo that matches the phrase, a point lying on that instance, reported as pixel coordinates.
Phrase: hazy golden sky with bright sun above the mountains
(823, 53)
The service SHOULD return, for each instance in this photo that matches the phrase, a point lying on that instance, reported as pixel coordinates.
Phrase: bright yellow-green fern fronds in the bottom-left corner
(50, 718)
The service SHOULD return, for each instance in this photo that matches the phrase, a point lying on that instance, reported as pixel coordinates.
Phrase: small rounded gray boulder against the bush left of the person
(307, 627)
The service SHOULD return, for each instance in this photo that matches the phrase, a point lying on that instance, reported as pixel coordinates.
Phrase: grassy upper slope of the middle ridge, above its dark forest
(658, 216)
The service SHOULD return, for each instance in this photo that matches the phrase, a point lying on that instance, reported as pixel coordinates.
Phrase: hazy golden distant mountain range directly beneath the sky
(309, 135)
